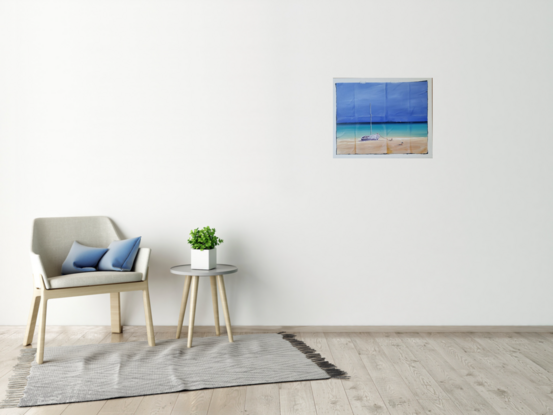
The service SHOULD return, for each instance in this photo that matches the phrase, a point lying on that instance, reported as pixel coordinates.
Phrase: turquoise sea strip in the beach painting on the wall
(385, 129)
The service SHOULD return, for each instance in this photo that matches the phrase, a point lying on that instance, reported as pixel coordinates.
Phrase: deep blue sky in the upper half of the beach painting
(391, 102)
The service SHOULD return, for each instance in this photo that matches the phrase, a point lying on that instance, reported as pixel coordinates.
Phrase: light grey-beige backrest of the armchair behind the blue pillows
(53, 237)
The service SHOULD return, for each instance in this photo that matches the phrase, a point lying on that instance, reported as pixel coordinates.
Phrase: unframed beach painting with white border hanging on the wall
(383, 117)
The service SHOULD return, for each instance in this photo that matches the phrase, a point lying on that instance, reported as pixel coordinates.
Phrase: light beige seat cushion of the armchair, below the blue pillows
(93, 278)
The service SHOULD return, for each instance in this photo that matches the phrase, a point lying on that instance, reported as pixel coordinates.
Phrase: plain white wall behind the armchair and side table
(171, 115)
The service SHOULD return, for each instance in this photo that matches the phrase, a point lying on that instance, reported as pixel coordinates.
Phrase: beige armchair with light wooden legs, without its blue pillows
(51, 242)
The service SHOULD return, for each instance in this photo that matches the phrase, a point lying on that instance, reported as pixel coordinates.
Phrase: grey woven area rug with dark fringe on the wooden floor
(106, 371)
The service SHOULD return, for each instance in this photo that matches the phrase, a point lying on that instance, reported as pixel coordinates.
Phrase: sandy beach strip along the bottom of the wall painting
(397, 145)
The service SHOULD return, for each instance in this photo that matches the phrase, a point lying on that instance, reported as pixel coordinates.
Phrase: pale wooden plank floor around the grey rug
(391, 373)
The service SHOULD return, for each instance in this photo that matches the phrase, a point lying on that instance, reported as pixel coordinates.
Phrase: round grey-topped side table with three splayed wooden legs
(193, 277)
